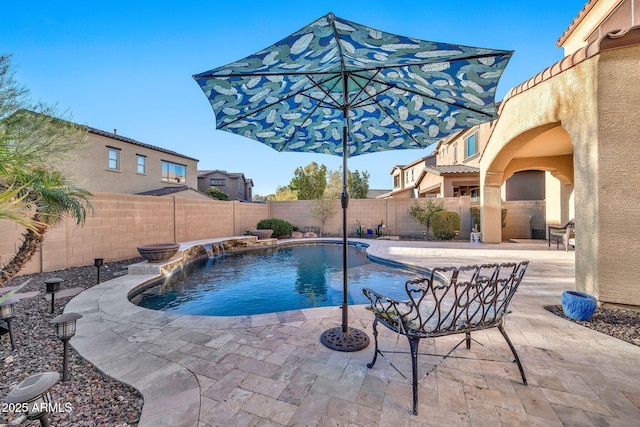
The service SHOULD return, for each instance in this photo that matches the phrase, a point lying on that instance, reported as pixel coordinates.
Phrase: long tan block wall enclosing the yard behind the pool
(120, 223)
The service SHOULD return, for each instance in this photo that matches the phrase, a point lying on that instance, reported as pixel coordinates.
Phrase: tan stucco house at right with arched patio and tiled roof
(578, 121)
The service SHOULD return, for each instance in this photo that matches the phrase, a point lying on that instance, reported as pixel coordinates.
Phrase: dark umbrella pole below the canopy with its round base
(344, 338)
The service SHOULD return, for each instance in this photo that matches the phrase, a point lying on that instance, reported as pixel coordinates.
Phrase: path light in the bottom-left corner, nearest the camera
(34, 392)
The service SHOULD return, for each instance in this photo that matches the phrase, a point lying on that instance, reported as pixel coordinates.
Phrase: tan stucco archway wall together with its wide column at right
(596, 102)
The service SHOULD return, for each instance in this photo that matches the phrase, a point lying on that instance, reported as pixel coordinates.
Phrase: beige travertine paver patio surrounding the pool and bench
(272, 369)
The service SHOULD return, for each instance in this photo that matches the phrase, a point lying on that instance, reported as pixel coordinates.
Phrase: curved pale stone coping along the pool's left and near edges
(112, 330)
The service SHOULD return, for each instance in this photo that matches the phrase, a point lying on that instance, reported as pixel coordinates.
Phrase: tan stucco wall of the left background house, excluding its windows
(88, 167)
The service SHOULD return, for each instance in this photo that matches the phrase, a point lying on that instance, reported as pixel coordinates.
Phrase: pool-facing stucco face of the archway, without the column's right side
(568, 98)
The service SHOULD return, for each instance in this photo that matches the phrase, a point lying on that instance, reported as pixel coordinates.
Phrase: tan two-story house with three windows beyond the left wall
(113, 163)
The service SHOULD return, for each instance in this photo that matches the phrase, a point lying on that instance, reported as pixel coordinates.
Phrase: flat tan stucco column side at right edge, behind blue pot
(618, 163)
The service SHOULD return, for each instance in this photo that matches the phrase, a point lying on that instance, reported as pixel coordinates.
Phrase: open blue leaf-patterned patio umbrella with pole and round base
(342, 88)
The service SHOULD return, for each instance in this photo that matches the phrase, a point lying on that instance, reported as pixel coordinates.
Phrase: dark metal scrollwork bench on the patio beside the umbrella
(451, 300)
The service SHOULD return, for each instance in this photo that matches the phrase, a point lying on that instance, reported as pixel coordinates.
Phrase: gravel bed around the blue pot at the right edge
(618, 323)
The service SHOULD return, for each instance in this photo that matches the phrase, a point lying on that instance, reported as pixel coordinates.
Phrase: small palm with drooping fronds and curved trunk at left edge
(51, 199)
